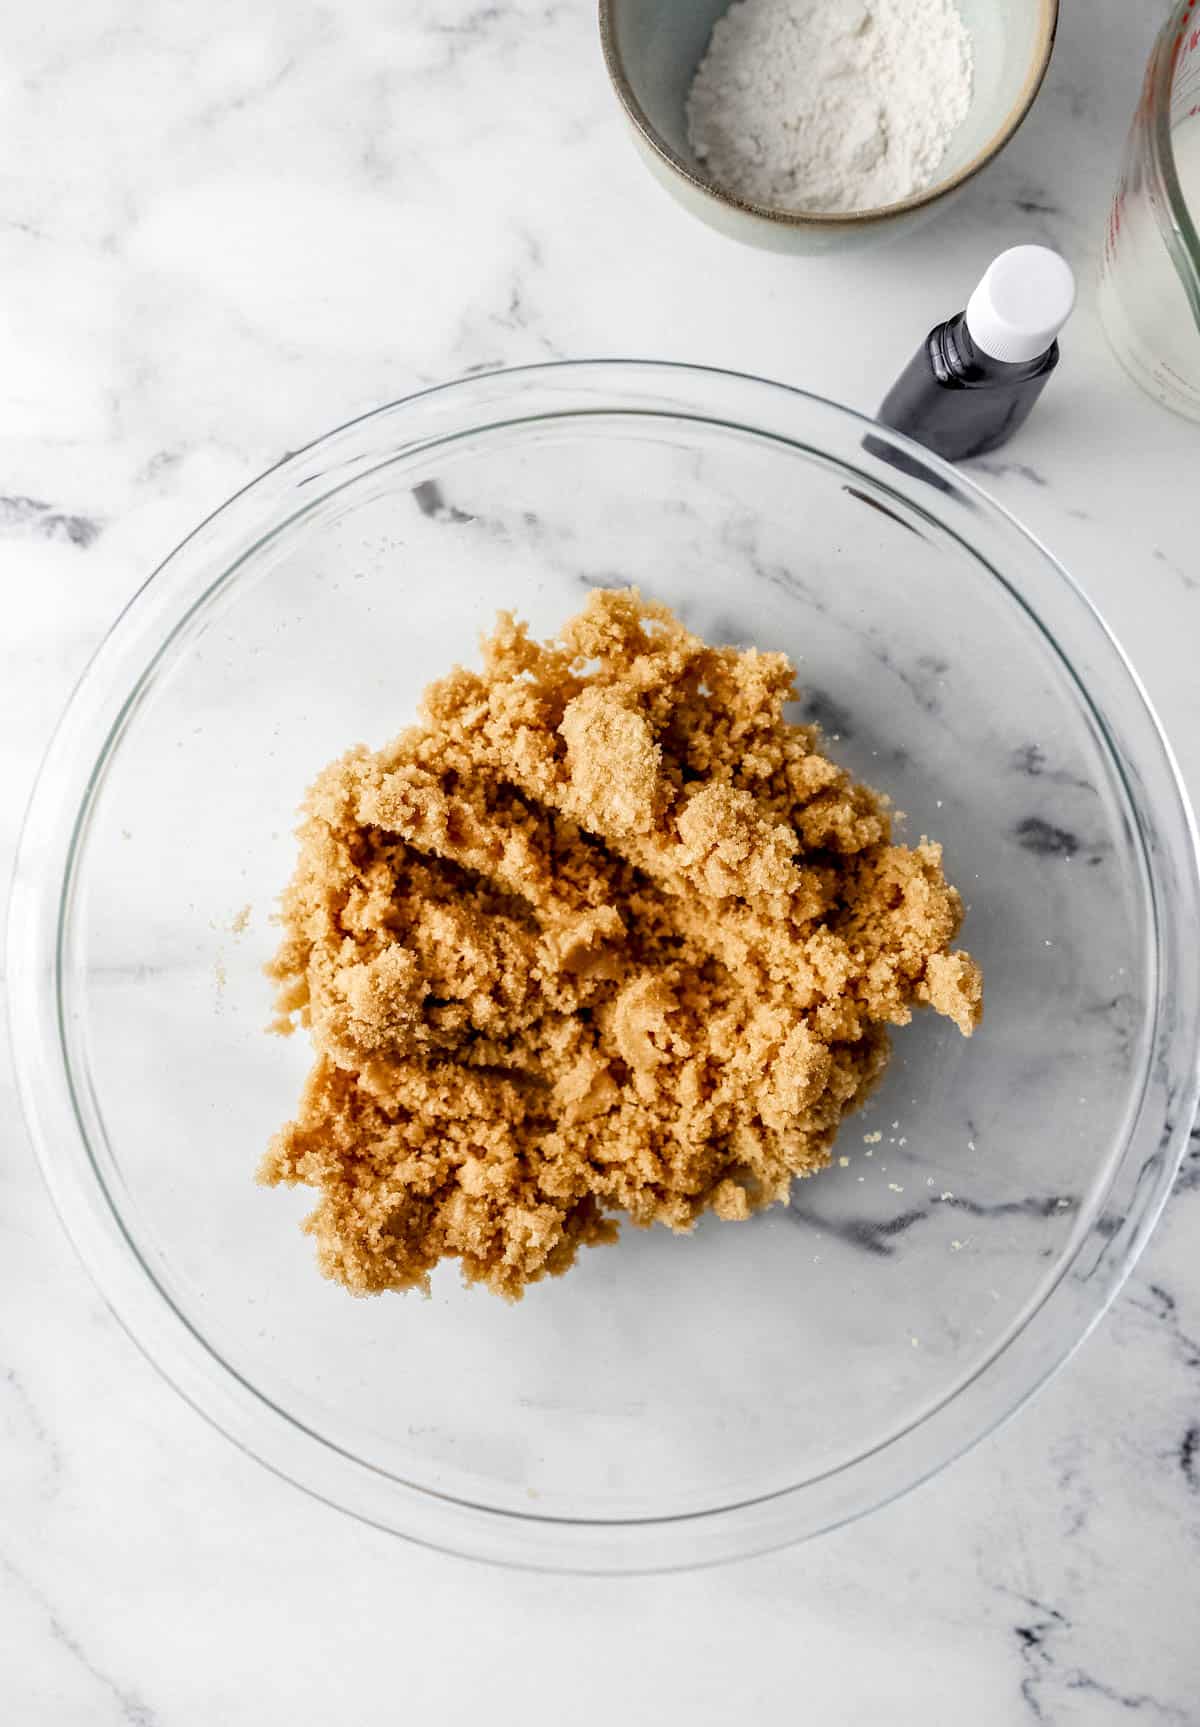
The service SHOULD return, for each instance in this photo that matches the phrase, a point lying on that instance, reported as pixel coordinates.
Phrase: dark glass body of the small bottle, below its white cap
(959, 402)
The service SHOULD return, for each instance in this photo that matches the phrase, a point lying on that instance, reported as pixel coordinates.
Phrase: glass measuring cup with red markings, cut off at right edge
(1151, 272)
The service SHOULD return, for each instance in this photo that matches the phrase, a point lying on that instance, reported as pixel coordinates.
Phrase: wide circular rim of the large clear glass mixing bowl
(106, 699)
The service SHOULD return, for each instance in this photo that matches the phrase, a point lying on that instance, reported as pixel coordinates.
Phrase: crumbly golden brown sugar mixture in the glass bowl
(602, 935)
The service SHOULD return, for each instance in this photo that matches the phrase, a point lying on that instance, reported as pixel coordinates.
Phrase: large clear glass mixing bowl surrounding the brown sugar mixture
(673, 1400)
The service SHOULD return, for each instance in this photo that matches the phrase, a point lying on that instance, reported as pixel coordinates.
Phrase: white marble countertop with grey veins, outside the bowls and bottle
(222, 232)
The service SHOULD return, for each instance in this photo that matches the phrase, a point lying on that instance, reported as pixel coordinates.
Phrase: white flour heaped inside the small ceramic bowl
(830, 104)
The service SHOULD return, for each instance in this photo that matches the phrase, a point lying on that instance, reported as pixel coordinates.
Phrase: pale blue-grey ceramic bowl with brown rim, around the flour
(654, 47)
